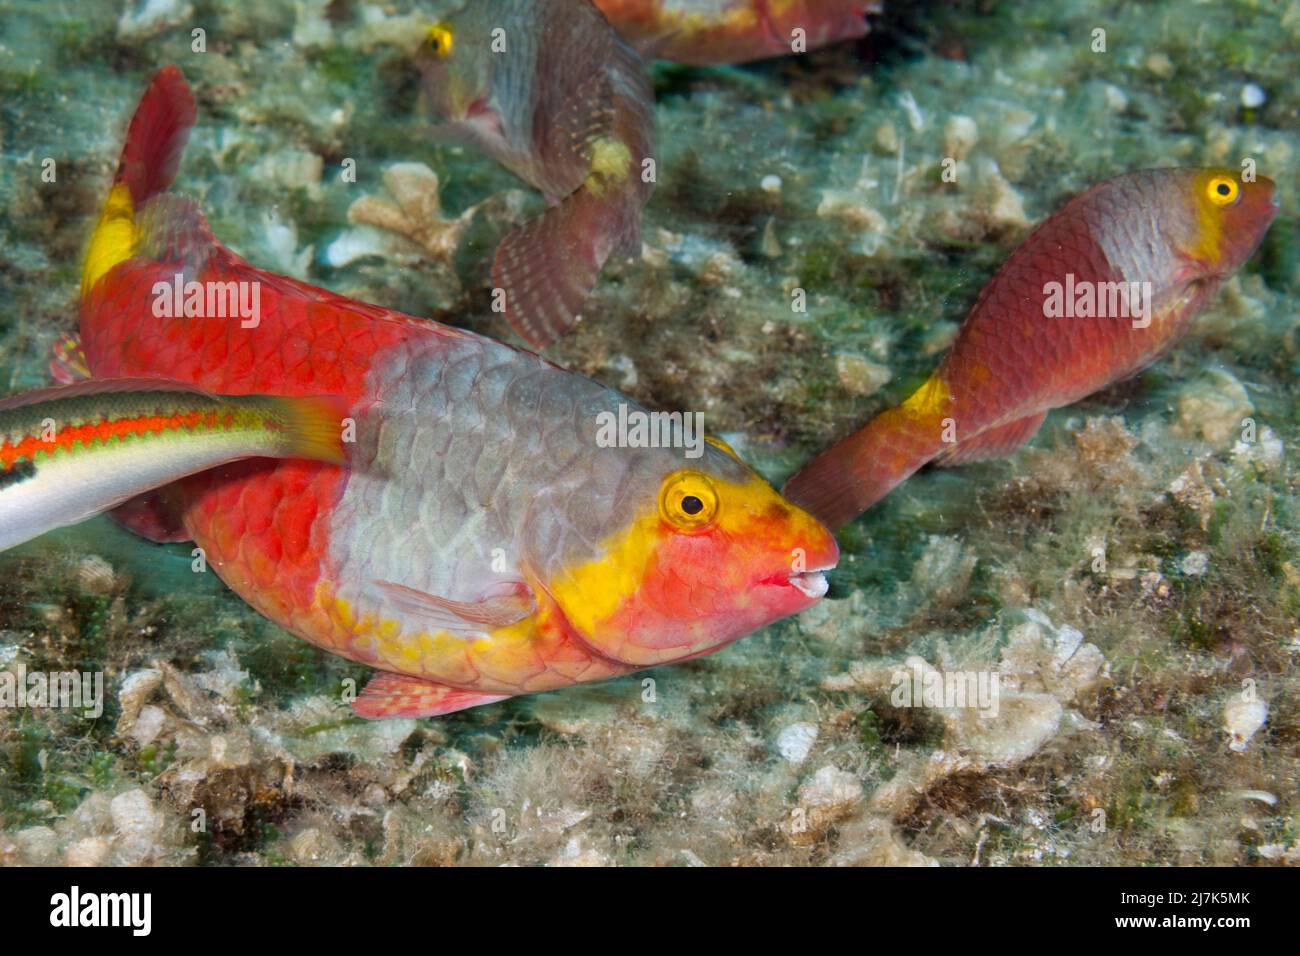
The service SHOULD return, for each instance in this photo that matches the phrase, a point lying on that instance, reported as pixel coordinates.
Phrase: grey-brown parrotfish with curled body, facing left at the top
(549, 90)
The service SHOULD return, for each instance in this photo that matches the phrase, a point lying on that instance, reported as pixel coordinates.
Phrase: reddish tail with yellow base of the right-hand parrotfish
(855, 474)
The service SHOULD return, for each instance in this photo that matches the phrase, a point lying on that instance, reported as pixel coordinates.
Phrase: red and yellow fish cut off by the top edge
(705, 33)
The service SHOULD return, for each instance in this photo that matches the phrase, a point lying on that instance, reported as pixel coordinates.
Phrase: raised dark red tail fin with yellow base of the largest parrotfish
(150, 159)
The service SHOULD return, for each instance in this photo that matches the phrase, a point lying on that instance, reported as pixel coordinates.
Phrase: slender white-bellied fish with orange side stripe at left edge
(75, 452)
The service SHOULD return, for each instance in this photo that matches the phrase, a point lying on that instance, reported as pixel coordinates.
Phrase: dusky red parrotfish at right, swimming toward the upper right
(1098, 293)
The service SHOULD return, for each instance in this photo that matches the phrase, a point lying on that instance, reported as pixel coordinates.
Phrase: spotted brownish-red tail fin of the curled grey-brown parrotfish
(548, 267)
